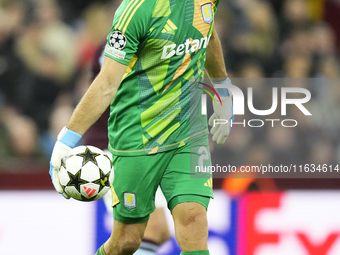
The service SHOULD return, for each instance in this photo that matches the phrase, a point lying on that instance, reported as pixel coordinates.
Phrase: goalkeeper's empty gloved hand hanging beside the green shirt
(223, 114)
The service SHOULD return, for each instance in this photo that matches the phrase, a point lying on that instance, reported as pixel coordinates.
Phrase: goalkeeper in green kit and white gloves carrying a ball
(151, 75)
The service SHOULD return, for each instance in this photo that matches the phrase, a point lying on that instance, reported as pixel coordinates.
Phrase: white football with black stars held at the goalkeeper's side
(85, 173)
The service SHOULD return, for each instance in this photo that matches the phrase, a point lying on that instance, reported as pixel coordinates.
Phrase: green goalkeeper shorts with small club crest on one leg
(180, 174)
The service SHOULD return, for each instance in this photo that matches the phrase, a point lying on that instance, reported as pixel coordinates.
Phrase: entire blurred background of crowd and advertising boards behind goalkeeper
(46, 48)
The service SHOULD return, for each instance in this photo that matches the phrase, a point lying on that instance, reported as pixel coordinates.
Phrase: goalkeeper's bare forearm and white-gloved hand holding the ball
(95, 101)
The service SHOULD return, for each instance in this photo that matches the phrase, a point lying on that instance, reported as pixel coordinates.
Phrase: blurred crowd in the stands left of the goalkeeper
(46, 49)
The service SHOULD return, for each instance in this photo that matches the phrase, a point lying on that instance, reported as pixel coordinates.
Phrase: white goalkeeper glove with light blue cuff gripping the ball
(66, 140)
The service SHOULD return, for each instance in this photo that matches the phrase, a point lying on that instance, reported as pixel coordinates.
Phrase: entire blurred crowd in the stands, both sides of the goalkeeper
(46, 47)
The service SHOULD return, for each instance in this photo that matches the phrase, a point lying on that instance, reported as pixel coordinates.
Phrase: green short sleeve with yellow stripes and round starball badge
(130, 25)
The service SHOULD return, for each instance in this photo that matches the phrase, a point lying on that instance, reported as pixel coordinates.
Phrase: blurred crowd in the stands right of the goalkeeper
(289, 43)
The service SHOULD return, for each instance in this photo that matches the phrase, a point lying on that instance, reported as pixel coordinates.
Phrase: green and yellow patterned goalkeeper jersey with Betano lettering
(158, 103)
